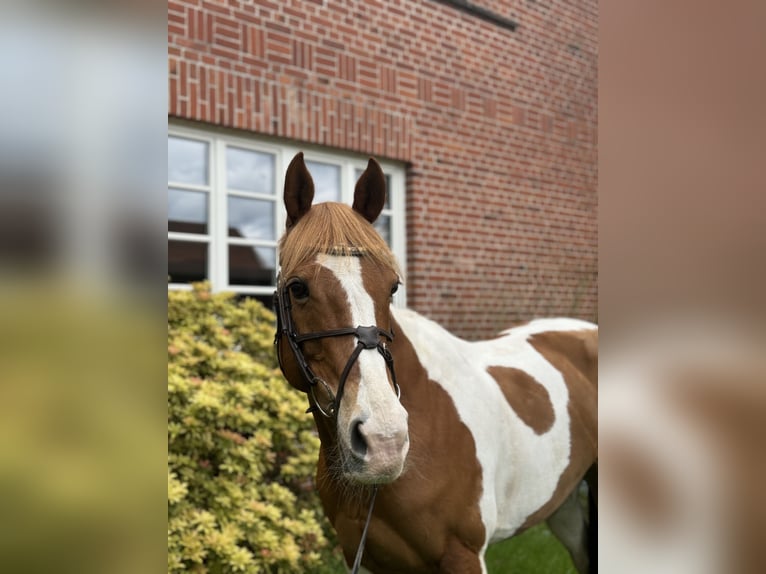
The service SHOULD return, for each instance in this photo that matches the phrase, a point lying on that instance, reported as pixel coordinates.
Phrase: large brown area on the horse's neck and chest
(428, 520)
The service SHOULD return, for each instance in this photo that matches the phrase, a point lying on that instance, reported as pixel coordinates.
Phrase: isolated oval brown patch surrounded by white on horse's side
(527, 397)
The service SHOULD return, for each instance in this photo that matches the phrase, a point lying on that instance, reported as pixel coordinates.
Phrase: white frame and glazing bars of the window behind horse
(217, 231)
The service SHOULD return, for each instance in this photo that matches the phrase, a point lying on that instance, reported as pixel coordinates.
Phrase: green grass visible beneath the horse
(535, 551)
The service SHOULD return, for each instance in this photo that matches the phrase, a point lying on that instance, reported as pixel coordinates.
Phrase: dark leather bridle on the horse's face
(367, 338)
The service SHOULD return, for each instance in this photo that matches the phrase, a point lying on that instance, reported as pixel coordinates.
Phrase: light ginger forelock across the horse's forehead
(336, 229)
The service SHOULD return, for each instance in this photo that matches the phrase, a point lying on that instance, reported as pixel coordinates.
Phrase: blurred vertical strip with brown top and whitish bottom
(682, 407)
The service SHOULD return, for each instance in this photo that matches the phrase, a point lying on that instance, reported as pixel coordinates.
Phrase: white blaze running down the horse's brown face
(376, 403)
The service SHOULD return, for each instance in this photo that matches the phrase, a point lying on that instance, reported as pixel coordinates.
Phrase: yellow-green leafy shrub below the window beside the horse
(240, 448)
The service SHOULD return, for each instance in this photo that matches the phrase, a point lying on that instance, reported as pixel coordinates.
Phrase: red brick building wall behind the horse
(498, 128)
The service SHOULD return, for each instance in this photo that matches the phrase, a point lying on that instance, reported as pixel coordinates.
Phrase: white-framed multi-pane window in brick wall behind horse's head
(225, 210)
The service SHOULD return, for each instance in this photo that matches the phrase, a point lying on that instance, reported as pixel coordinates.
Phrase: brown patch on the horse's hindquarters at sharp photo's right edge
(575, 355)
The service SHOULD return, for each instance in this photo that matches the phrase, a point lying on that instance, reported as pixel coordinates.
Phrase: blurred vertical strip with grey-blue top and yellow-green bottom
(82, 281)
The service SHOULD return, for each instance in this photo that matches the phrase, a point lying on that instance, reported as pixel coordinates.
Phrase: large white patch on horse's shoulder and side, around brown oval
(520, 468)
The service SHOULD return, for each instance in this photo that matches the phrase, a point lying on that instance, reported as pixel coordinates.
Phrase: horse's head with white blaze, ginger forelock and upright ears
(334, 296)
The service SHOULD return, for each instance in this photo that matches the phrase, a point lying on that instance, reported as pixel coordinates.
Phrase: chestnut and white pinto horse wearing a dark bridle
(432, 447)
